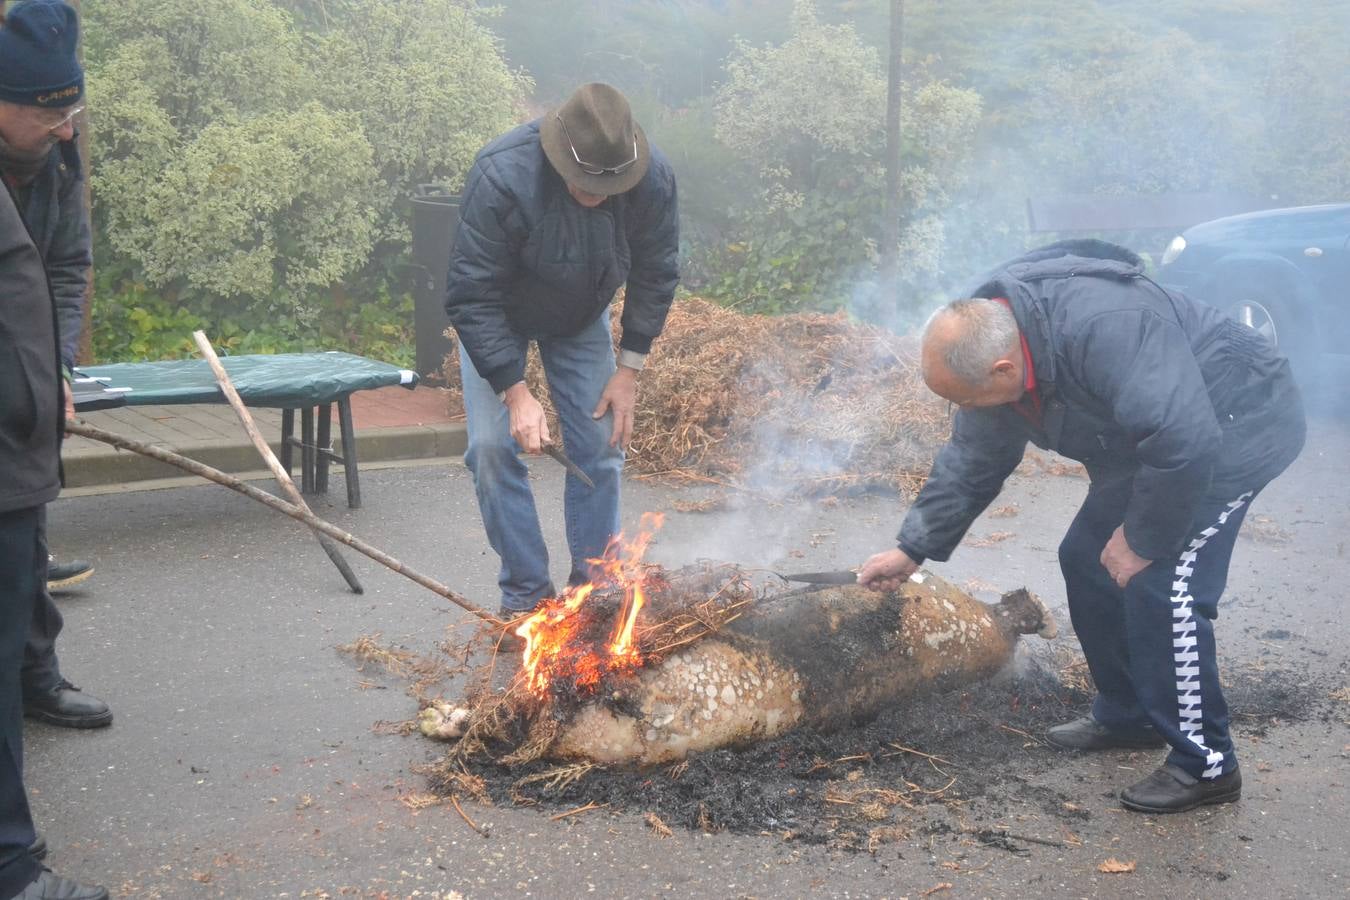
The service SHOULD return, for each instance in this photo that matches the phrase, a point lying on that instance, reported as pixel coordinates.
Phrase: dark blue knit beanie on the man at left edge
(38, 63)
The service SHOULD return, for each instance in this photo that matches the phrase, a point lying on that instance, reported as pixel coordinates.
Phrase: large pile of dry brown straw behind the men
(807, 404)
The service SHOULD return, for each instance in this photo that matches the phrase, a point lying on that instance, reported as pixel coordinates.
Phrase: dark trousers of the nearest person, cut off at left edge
(24, 574)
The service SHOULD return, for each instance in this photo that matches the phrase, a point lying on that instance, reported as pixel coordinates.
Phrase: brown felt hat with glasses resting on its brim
(593, 142)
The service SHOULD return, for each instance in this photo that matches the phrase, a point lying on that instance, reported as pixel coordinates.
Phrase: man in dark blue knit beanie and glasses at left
(41, 94)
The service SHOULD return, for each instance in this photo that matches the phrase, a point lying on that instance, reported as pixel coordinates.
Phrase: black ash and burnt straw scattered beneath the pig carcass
(970, 762)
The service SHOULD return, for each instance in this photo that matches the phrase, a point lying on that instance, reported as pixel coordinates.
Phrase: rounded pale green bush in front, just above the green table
(273, 207)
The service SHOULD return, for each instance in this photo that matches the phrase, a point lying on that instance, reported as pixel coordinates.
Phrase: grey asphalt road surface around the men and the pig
(242, 762)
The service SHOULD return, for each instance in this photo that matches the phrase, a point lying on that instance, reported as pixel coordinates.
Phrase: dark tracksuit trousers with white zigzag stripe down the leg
(1151, 647)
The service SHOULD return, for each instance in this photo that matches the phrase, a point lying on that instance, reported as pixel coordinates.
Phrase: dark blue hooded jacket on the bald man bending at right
(1136, 383)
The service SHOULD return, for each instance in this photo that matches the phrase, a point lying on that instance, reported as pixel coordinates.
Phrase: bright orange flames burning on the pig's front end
(554, 646)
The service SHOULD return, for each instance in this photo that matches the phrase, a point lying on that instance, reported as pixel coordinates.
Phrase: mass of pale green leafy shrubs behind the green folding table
(250, 161)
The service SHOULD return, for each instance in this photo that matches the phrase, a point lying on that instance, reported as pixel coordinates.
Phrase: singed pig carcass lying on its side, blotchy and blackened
(820, 659)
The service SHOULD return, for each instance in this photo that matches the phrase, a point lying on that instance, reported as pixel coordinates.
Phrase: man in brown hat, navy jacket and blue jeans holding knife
(557, 215)
